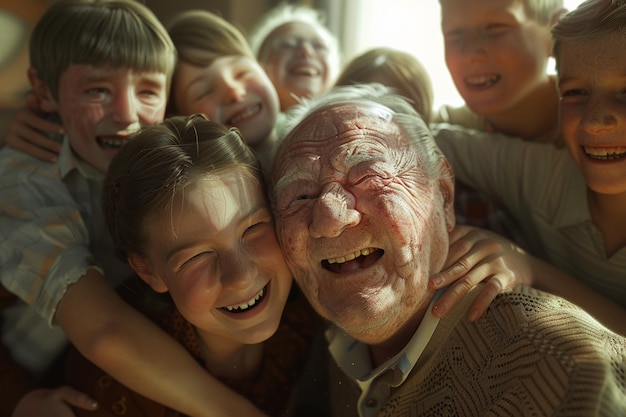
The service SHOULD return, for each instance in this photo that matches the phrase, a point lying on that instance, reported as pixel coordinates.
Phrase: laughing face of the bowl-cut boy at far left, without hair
(100, 107)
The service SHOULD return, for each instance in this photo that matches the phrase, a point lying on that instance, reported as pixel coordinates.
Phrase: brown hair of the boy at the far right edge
(592, 18)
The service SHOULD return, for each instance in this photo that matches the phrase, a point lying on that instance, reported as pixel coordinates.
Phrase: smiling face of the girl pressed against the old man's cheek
(216, 253)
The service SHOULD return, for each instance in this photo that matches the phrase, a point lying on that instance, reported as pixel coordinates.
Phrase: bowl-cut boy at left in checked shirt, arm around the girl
(104, 66)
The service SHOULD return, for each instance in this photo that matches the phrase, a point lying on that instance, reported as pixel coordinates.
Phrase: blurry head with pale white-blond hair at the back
(298, 52)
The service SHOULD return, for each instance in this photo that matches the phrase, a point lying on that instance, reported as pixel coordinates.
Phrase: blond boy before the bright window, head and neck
(497, 54)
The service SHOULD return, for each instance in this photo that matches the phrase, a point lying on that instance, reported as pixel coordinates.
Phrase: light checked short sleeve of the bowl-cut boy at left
(44, 242)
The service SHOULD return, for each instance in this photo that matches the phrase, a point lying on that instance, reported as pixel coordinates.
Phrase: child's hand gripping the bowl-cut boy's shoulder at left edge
(25, 131)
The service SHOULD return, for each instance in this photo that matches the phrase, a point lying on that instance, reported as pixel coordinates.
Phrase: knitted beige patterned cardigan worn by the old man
(531, 354)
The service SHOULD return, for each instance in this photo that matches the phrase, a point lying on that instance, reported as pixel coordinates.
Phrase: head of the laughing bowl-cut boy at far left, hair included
(104, 66)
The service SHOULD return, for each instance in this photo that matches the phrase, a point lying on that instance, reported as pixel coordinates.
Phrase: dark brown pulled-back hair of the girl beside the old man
(159, 163)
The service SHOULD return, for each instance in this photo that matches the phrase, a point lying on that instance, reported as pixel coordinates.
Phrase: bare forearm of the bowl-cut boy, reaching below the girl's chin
(133, 350)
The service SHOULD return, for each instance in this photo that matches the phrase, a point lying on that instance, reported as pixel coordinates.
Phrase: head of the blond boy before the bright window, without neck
(497, 50)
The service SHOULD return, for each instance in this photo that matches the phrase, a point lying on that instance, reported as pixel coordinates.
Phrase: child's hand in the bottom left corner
(56, 402)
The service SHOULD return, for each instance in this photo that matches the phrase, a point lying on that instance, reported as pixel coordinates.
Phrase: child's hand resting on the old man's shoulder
(478, 255)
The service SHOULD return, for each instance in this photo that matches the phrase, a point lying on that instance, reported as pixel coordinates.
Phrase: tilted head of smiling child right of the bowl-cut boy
(217, 75)
